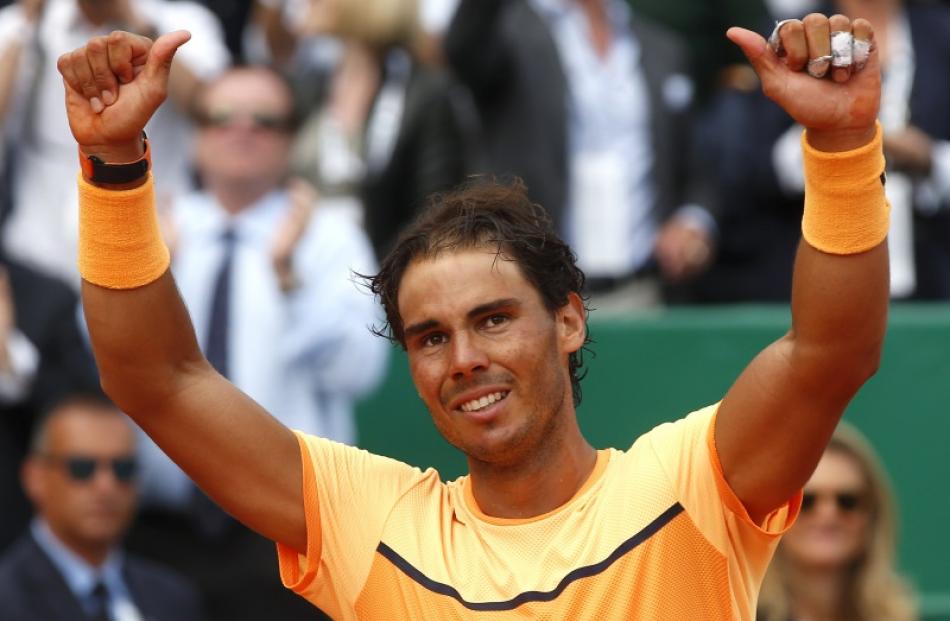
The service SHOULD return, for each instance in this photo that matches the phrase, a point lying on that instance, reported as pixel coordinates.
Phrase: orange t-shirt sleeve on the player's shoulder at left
(348, 494)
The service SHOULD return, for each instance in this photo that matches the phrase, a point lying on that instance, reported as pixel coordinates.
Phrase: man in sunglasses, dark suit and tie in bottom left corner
(80, 475)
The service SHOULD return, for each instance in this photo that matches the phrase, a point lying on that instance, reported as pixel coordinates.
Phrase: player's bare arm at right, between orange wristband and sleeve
(777, 418)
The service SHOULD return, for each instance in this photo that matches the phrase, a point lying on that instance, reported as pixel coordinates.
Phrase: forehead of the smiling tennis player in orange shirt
(450, 284)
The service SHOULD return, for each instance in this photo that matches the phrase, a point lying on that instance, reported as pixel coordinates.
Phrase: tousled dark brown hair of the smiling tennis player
(486, 212)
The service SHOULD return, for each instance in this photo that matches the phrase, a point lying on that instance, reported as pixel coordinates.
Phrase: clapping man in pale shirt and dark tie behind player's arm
(268, 279)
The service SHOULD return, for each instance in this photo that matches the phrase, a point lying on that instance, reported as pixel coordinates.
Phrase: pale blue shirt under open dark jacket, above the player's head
(611, 222)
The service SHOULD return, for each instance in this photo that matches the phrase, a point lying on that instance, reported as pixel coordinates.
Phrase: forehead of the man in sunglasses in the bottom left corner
(89, 432)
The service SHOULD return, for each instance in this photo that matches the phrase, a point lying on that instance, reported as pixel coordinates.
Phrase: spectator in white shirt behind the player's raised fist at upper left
(41, 229)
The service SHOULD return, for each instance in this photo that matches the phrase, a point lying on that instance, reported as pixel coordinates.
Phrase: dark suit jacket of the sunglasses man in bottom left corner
(32, 589)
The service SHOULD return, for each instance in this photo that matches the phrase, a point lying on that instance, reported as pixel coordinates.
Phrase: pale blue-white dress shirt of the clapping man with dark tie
(305, 356)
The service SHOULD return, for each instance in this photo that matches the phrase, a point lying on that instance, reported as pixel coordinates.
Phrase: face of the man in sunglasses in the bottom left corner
(80, 482)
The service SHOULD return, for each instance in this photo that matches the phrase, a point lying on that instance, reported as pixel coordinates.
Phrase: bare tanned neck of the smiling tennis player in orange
(561, 464)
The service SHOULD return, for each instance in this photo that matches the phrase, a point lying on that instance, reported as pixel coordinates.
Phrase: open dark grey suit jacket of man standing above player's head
(504, 52)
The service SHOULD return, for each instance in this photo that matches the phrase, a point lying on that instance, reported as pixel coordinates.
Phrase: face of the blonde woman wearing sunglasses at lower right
(834, 525)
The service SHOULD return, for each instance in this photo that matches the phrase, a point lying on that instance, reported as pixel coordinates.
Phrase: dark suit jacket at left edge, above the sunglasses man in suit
(46, 313)
